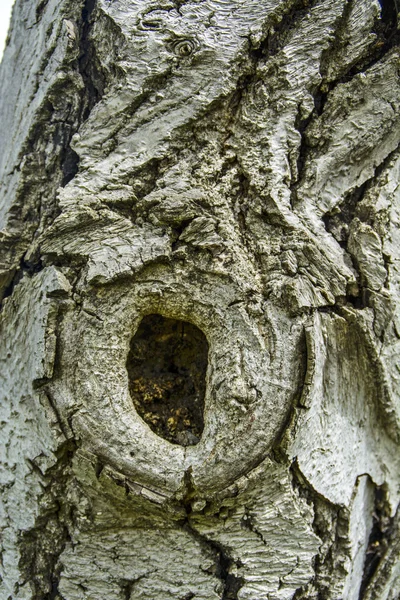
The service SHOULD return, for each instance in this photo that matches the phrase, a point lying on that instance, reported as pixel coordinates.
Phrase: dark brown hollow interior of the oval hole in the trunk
(167, 365)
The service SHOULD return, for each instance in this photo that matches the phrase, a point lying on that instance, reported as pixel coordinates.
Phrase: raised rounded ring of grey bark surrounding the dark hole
(251, 382)
